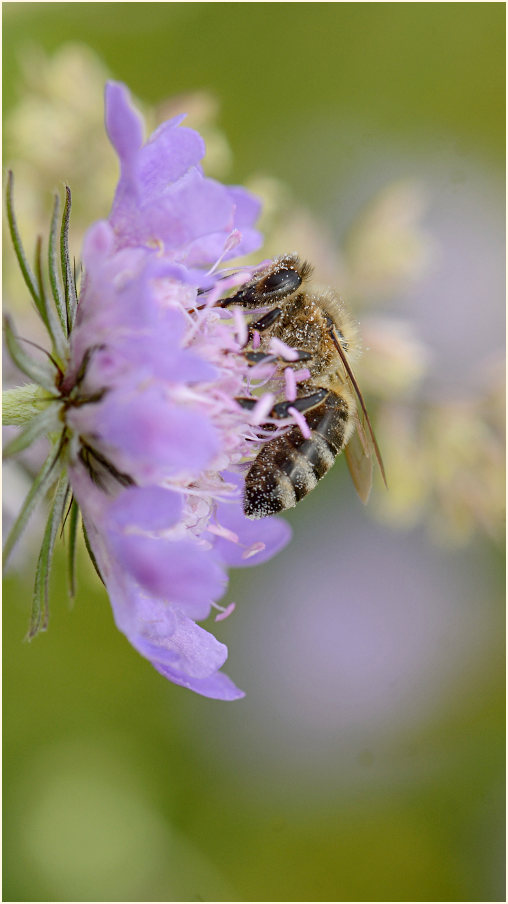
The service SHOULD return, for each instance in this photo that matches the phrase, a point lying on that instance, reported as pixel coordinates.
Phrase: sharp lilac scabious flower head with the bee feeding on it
(145, 388)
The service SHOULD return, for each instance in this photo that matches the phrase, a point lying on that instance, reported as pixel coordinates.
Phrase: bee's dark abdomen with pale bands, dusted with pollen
(289, 467)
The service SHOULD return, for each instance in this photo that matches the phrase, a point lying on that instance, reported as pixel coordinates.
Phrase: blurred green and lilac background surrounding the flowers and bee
(367, 760)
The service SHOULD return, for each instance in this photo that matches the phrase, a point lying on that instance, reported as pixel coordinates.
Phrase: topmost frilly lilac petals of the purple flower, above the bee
(163, 196)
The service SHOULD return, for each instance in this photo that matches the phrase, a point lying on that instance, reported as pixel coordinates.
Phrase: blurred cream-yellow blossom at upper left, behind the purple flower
(60, 100)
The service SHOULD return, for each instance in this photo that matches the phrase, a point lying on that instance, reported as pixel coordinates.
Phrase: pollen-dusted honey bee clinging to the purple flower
(325, 339)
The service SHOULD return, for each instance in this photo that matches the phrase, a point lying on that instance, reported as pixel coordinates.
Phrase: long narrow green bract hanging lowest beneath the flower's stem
(40, 603)
